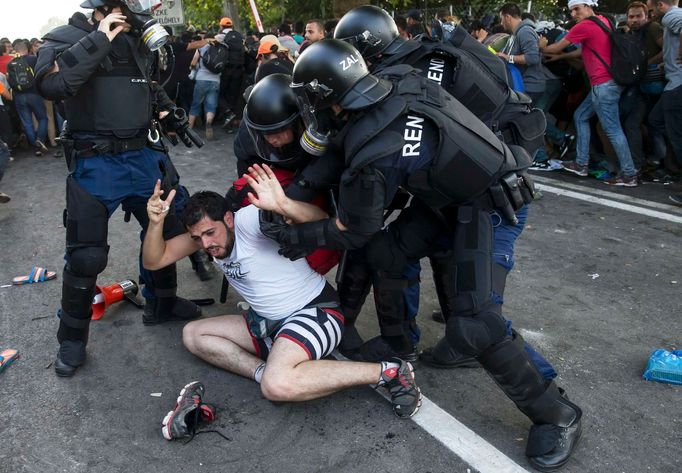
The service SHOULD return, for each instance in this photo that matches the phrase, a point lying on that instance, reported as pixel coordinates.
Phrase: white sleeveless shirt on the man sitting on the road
(274, 286)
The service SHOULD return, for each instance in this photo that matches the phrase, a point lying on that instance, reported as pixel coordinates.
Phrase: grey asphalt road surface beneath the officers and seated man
(596, 288)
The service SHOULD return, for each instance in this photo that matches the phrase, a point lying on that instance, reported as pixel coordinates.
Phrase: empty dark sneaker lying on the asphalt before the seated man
(187, 414)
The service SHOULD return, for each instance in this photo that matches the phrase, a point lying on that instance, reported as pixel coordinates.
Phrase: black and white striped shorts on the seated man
(318, 330)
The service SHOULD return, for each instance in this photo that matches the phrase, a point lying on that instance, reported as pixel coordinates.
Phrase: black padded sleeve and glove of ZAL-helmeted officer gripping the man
(362, 196)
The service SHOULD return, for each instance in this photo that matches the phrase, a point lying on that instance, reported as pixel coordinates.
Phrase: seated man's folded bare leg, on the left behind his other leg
(224, 342)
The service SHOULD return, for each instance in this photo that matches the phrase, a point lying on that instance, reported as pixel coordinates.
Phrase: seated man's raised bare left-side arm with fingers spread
(156, 252)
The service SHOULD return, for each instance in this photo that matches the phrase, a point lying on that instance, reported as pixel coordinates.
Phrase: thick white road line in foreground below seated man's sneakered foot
(457, 437)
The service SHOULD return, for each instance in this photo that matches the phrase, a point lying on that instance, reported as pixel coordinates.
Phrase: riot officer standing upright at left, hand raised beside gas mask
(101, 69)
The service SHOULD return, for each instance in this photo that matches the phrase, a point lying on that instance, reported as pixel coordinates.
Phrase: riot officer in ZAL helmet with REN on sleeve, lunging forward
(405, 131)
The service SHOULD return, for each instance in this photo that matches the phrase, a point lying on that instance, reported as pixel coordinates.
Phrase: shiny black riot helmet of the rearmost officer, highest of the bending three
(370, 29)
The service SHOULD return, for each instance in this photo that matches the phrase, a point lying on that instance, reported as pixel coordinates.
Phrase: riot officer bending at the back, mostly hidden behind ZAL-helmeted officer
(475, 79)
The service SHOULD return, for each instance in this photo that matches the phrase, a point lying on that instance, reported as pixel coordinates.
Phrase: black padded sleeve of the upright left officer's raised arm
(76, 64)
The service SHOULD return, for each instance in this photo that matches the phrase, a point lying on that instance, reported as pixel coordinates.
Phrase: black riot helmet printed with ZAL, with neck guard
(333, 72)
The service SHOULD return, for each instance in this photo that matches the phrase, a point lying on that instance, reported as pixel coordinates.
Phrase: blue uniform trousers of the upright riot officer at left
(126, 179)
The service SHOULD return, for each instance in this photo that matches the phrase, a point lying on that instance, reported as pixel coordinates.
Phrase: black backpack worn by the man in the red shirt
(628, 55)
